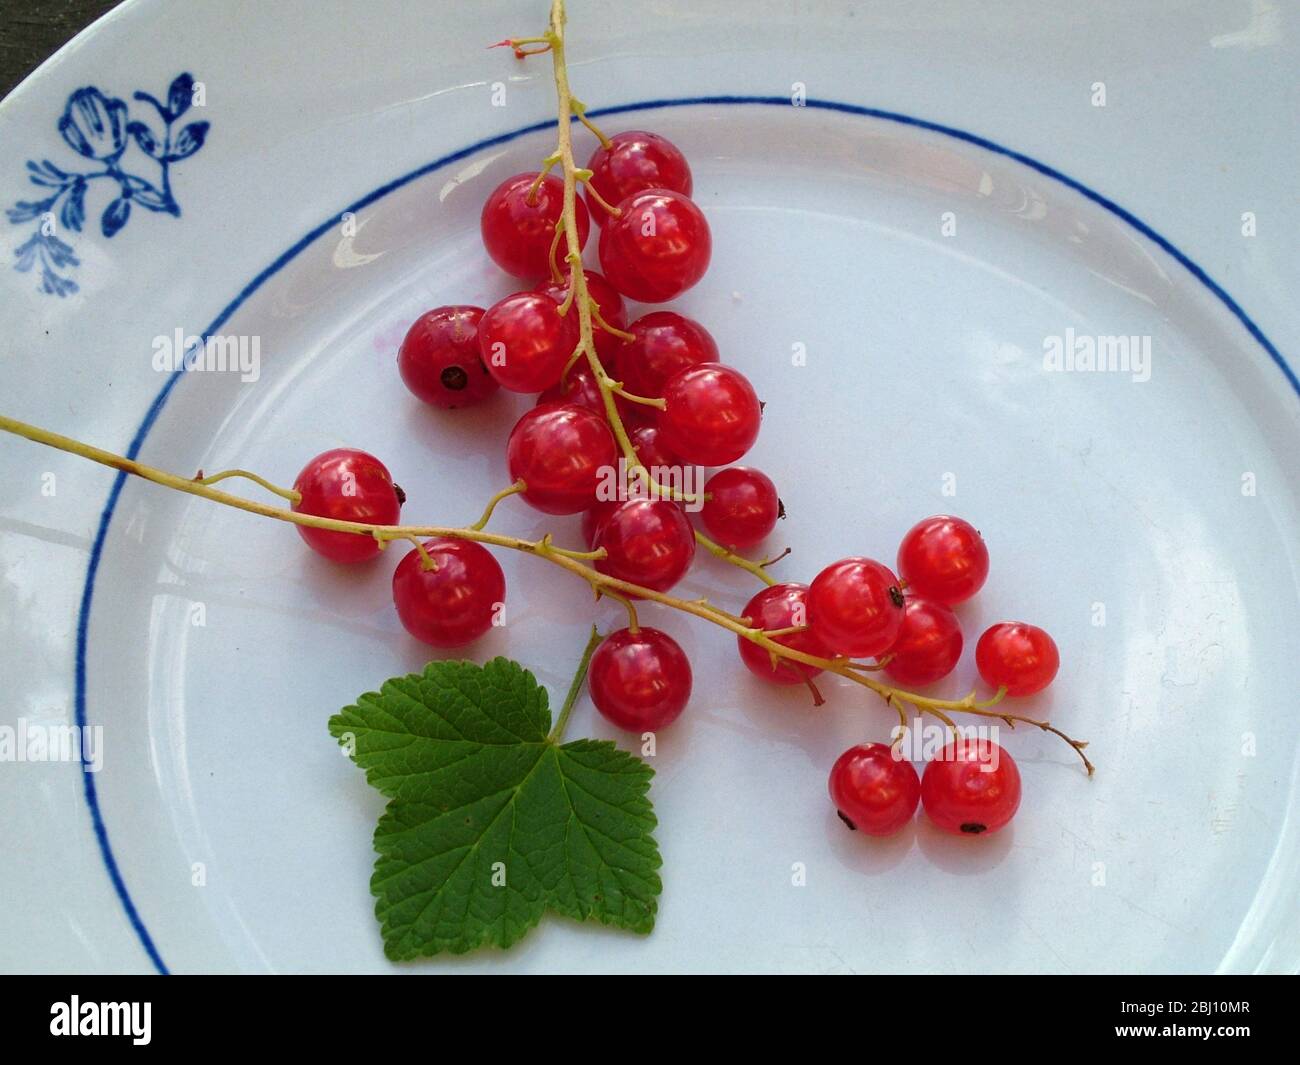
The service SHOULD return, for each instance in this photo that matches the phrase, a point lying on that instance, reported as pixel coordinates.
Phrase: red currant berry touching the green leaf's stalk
(640, 681)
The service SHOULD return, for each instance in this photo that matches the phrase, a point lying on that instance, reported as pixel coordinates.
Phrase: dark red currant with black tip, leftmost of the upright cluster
(440, 360)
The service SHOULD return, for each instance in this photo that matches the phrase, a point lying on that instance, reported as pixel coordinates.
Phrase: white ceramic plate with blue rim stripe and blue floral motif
(951, 197)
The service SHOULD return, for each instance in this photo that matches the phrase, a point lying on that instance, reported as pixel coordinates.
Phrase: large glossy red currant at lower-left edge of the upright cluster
(561, 453)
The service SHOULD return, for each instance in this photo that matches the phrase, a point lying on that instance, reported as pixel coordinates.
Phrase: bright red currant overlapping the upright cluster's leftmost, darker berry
(526, 343)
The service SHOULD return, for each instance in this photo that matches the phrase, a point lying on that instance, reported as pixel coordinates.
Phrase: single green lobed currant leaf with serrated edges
(491, 822)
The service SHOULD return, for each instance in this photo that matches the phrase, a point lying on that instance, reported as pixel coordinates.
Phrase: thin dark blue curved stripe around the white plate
(106, 848)
